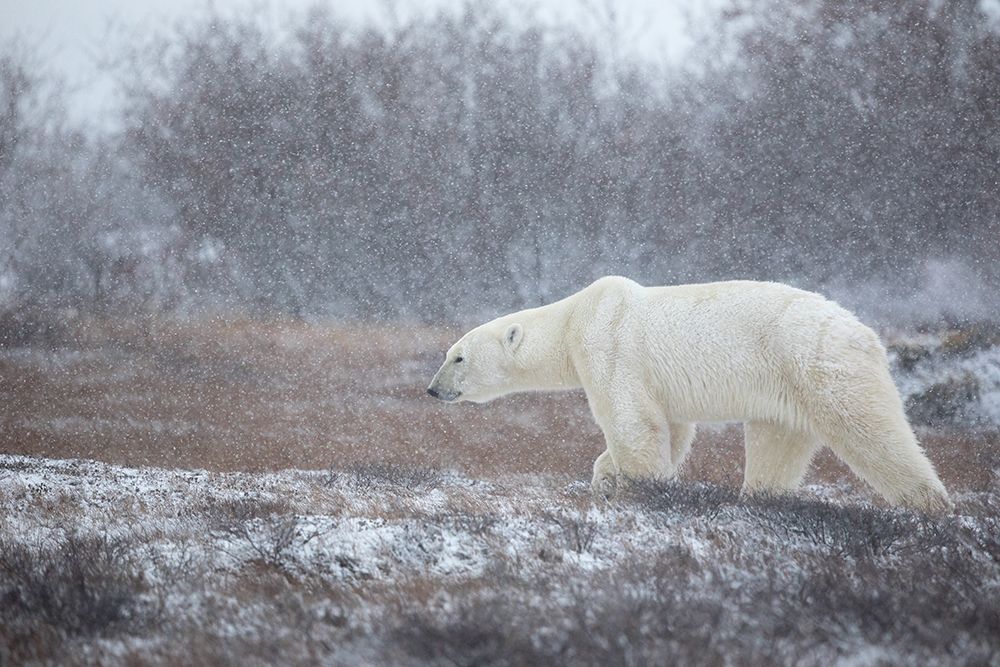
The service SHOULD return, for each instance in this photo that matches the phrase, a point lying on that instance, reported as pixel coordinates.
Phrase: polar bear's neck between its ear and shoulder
(544, 357)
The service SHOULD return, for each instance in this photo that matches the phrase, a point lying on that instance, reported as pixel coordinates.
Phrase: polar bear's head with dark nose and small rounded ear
(480, 366)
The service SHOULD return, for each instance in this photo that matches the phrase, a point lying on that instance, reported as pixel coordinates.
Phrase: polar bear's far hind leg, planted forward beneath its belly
(777, 457)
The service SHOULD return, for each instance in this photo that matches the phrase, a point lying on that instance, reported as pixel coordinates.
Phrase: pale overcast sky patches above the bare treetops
(72, 35)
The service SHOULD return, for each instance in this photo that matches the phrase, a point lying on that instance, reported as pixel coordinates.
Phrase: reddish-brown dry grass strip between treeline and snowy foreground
(239, 395)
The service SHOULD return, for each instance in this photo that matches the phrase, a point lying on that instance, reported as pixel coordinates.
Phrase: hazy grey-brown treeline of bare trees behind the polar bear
(463, 164)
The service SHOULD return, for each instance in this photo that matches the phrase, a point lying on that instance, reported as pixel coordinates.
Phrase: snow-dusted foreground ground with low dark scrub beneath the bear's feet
(391, 565)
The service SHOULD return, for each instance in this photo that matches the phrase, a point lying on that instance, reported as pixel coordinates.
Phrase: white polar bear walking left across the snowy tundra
(797, 368)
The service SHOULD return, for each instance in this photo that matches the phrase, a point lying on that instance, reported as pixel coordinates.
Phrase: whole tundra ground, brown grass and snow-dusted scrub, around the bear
(242, 493)
